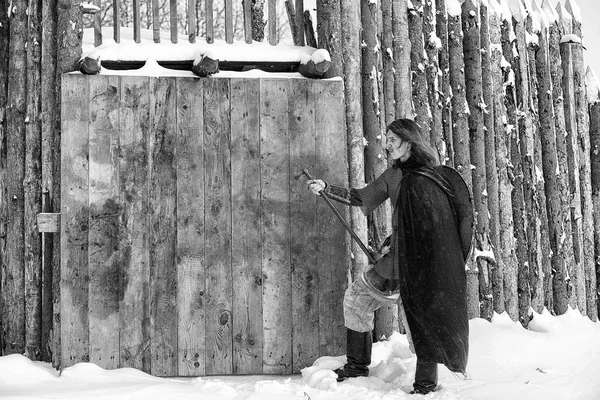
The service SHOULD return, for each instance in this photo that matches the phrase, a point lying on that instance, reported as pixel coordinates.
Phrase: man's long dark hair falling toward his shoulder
(421, 151)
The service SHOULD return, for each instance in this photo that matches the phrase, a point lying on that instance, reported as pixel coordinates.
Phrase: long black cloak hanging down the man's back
(434, 233)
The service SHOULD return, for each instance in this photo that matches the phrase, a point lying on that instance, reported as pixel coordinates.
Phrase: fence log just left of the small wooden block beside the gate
(32, 187)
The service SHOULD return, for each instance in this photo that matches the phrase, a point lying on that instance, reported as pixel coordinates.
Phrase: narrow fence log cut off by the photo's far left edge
(4, 201)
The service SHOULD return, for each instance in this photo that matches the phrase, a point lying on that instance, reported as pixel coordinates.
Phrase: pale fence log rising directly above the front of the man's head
(402, 81)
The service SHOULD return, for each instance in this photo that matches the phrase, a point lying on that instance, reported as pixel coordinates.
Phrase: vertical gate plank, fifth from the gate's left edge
(190, 228)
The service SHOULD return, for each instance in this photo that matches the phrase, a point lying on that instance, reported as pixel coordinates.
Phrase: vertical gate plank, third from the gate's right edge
(275, 195)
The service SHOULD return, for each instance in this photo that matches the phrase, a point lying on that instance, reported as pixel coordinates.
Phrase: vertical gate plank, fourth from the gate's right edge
(246, 238)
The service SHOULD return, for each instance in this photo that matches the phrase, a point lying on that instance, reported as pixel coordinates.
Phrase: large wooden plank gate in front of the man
(189, 247)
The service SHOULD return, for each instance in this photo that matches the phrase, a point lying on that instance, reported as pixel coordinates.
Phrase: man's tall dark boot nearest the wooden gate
(358, 349)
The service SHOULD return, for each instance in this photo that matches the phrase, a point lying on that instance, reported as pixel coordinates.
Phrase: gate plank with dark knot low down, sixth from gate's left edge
(217, 169)
